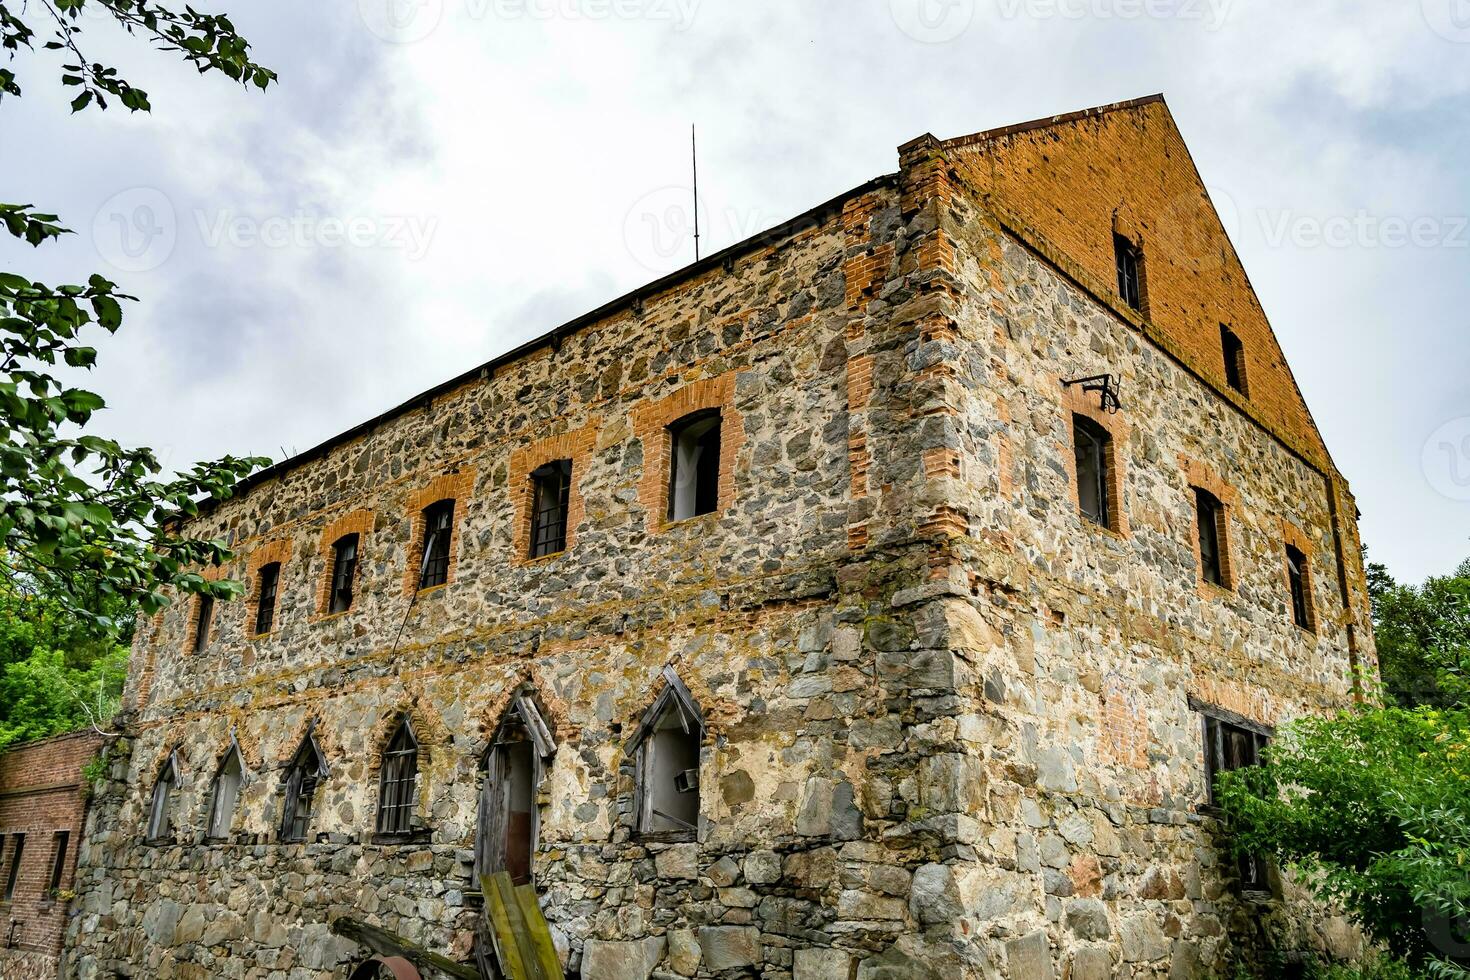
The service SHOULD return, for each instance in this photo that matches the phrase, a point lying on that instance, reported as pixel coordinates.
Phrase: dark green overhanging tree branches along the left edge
(83, 519)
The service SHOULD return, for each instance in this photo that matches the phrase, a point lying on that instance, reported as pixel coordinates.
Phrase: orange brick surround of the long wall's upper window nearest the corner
(652, 421)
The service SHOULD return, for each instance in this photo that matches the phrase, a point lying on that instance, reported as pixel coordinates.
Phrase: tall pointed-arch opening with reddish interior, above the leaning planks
(515, 763)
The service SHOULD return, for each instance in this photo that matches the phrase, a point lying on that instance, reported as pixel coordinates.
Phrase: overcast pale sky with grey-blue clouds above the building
(436, 181)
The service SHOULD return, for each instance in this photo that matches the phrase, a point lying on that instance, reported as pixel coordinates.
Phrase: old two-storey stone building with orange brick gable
(868, 600)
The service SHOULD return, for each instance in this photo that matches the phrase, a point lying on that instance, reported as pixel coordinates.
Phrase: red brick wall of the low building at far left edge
(40, 794)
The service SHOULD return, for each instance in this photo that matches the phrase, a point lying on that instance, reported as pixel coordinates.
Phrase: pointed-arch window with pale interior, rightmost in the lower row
(668, 763)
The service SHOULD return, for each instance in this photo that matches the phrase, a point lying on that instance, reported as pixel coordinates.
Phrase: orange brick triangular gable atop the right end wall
(1078, 180)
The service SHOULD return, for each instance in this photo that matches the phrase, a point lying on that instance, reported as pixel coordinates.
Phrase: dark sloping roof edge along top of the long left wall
(558, 334)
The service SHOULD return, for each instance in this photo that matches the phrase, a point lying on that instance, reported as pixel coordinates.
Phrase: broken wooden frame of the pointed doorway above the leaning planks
(495, 796)
